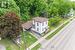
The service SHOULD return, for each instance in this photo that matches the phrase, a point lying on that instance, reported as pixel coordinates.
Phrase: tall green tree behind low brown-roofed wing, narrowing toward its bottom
(24, 6)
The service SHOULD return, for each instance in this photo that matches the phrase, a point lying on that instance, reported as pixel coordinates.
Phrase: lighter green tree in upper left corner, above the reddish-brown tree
(7, 6)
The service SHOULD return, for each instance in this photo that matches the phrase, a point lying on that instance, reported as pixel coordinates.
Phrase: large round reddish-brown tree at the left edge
(10, 25)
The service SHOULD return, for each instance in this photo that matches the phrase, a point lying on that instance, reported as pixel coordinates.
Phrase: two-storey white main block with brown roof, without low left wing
(40, 24)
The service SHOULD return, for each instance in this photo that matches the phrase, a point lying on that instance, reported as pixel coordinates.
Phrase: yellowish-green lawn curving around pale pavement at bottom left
(9, 44)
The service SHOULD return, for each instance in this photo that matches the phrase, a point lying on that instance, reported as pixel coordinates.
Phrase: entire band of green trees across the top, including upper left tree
(28, 9)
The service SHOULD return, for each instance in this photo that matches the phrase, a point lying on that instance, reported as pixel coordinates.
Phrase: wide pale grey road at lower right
(64, 40)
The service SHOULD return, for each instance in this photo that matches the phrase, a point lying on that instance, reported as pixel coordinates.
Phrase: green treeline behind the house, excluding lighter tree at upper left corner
(44, 8)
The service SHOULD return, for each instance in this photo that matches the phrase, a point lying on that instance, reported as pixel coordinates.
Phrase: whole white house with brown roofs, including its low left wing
(38, 24)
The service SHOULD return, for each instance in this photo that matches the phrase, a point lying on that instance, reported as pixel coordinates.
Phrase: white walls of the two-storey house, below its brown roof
(40, 26)
